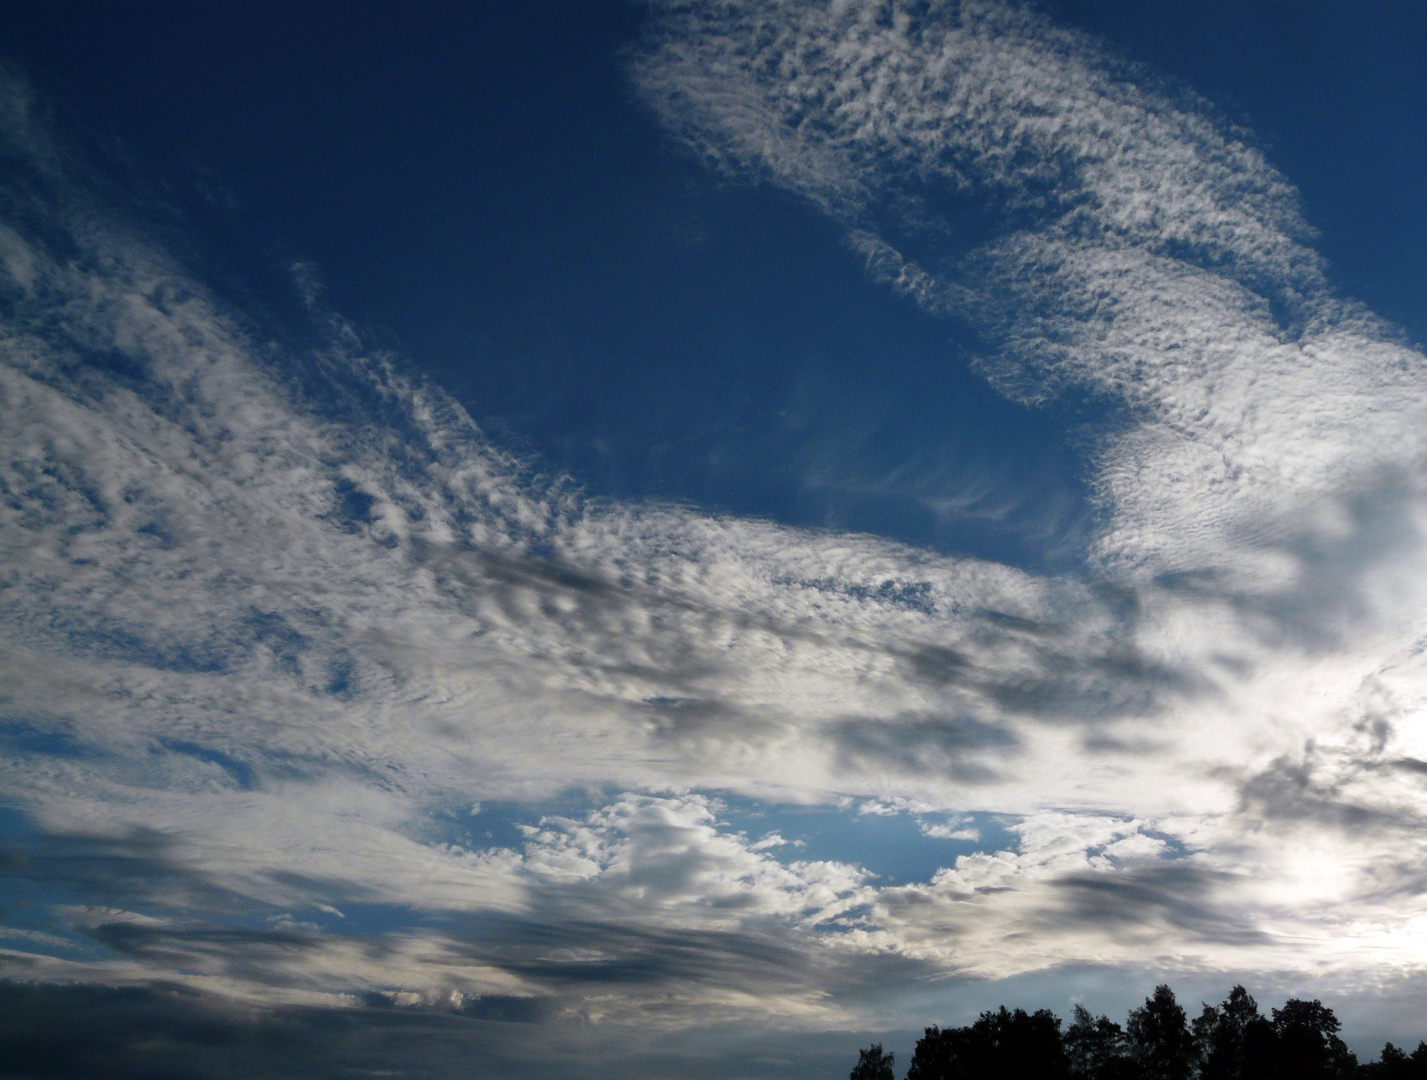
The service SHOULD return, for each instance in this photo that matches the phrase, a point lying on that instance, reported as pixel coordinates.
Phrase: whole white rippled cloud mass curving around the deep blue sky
(280, 620)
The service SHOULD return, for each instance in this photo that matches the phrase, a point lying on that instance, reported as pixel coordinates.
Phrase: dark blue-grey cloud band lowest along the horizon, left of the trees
(143, 1034)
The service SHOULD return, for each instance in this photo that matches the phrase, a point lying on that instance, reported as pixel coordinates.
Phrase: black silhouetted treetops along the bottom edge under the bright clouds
(1232, 1041)
